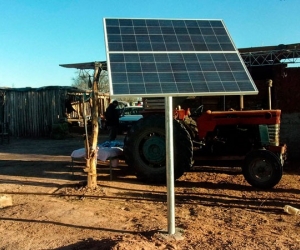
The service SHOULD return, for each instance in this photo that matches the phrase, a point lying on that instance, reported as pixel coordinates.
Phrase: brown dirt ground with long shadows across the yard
(215, 207)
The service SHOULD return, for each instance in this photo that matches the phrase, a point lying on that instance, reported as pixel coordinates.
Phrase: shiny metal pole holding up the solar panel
(170, 164)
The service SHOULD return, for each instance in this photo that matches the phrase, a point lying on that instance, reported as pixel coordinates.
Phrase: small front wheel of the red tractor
(262, 169)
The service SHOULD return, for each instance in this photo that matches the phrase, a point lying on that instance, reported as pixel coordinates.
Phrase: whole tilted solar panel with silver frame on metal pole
(159, 57)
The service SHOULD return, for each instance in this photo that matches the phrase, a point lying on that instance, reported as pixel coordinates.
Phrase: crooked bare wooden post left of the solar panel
(92, 171)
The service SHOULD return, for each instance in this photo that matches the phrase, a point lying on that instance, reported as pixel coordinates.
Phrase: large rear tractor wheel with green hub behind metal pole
(145, 149)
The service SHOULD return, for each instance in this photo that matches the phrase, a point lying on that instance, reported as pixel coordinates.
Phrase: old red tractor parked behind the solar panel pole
(252, 136)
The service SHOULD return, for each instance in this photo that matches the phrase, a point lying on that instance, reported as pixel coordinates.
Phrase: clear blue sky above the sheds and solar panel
(38, 35)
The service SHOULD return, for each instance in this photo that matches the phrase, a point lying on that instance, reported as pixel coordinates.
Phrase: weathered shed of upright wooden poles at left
(32, 112)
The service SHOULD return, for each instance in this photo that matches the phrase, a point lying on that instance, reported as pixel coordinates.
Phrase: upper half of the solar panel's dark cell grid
(139, 34)
